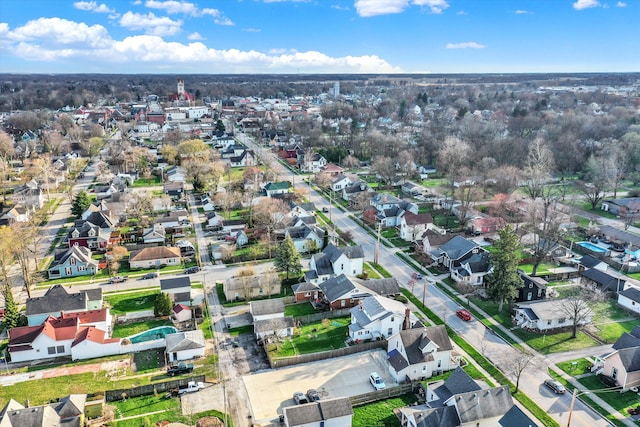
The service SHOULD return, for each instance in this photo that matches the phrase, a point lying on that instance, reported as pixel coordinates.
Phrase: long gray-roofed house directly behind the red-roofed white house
(57, 301)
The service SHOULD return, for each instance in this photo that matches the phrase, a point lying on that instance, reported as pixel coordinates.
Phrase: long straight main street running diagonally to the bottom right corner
(474, 332)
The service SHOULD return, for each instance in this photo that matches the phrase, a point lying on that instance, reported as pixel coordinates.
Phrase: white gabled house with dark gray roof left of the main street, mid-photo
(333, 261)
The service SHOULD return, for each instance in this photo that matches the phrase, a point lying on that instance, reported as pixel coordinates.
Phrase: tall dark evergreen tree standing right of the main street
(504, 280)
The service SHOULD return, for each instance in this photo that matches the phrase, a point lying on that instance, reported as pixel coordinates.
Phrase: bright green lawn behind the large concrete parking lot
(314, 337)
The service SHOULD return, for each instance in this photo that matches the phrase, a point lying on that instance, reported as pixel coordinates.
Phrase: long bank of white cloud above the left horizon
(51, 39)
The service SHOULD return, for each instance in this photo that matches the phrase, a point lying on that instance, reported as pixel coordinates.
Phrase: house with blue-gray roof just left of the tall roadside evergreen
(466, 260)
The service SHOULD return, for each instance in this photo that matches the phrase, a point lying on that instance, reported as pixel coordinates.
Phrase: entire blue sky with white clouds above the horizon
(319, 36)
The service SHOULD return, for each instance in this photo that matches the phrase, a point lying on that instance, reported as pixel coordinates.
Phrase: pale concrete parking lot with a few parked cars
(271, 391)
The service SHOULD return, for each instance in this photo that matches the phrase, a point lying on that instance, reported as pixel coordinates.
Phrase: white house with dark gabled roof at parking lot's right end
(421, 352)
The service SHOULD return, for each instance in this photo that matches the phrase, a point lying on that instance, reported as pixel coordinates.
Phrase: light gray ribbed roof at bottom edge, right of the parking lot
(478, 405)
